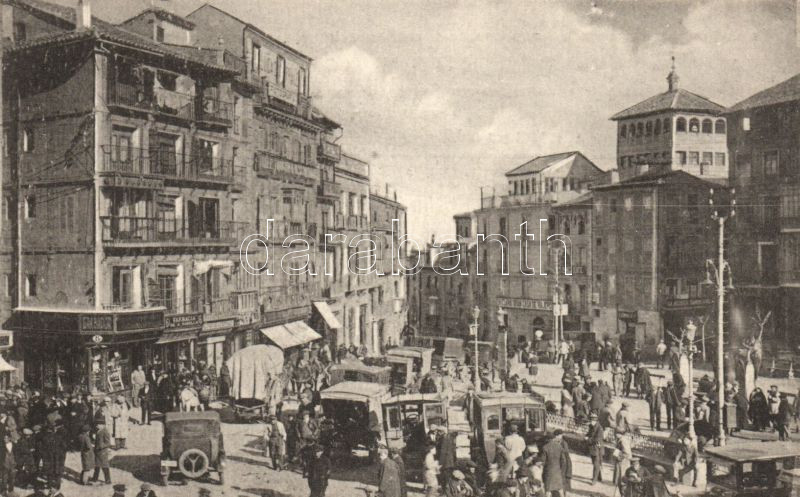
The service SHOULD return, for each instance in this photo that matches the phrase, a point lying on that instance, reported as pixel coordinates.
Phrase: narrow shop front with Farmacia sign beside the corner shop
(175, 348)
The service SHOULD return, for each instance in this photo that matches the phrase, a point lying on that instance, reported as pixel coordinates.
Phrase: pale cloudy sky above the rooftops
(443, 96)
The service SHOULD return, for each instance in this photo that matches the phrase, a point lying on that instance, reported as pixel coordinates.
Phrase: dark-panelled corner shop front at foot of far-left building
(83, 350)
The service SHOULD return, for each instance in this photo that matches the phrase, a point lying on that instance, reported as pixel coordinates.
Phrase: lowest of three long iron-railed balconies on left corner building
(120, 231)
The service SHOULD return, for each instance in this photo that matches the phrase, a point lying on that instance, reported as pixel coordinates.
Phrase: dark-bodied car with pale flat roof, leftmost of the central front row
(355, 411)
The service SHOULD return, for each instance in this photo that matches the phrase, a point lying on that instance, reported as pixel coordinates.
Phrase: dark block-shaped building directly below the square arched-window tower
(652, 234)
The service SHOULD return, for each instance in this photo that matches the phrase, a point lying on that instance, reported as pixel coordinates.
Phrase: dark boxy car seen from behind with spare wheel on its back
(192, 444)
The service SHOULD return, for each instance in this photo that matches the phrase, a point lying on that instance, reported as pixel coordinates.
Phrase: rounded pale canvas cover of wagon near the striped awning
(253, 370)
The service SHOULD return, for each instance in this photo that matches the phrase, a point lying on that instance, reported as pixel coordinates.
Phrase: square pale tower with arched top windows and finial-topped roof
(674, 130)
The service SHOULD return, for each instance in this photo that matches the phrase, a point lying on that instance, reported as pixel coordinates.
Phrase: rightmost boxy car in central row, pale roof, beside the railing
(494, 412)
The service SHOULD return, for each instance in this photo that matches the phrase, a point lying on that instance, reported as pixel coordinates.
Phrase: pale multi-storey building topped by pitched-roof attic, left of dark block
(519, 278)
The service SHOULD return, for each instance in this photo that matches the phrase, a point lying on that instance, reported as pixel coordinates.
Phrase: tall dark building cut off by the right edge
(762, 139)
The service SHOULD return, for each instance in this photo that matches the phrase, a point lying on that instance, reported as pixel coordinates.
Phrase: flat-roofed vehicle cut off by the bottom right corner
(752, 469)
